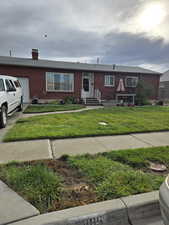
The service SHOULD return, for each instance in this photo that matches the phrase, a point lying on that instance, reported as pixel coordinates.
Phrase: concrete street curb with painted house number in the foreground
(133, 210)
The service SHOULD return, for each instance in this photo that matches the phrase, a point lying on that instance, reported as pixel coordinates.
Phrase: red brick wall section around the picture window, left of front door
(37, 81)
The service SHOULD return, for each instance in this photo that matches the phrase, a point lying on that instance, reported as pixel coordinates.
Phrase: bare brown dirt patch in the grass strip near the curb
(77, 191)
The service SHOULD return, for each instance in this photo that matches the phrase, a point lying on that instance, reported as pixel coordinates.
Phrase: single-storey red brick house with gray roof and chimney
(46, 79)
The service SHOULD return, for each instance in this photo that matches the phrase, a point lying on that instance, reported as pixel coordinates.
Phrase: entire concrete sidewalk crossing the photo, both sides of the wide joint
(48, 149)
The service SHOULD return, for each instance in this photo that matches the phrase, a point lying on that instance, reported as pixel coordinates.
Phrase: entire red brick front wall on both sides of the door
(37, 82)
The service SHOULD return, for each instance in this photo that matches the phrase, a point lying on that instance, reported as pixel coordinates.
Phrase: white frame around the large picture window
(53, 73)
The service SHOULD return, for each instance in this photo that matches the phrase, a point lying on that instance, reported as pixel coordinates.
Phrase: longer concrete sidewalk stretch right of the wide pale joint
(95, 145)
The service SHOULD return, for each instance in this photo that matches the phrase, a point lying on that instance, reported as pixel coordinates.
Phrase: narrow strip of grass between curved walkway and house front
(51, 108)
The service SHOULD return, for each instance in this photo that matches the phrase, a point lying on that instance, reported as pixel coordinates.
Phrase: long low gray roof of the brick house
(5, 60)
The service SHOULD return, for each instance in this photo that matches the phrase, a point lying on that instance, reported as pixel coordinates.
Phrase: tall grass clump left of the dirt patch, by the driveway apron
(36, 183)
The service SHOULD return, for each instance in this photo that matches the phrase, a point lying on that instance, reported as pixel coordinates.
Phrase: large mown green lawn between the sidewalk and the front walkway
(119, 120)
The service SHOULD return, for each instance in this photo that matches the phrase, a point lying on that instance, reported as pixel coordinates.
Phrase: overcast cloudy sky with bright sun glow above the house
(125, 32)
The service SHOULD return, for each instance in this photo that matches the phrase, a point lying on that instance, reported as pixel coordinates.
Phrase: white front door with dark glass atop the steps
(88, 85)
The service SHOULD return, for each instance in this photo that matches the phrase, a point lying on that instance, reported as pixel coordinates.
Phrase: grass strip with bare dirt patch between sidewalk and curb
(72, 181)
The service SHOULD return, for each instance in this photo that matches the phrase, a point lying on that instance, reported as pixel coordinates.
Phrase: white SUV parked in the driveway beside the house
(10, 97)
